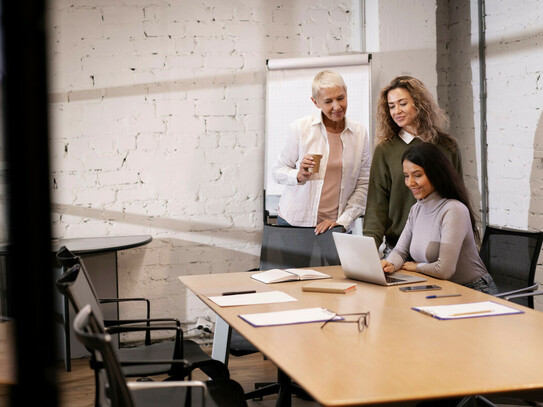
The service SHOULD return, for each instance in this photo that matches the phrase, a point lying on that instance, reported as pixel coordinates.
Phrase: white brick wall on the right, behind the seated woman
(514, 101)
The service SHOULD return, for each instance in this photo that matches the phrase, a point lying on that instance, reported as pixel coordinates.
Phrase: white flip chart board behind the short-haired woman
(288, 93)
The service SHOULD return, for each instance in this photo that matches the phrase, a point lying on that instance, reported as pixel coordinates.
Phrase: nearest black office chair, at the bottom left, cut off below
(218, 392)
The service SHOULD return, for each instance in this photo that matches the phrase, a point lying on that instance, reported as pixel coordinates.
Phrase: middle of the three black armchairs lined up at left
(76, 284)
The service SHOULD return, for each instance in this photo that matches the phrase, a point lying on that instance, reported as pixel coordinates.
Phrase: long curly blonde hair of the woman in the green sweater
(430, 120)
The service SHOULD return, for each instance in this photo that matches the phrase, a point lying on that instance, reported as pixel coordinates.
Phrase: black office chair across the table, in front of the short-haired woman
(286, 247)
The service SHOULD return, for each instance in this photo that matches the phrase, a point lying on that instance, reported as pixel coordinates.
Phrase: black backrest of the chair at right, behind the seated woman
(510, 257)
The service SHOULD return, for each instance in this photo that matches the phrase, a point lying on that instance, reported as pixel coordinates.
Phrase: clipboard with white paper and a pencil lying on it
(469, 310)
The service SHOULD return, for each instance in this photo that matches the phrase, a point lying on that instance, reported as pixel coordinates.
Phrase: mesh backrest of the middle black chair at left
(76, 284)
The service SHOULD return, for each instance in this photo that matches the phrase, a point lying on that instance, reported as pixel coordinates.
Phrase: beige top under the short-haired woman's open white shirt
(329, 202)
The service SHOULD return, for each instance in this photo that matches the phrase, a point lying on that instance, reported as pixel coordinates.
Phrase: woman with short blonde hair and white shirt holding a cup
(335, 193)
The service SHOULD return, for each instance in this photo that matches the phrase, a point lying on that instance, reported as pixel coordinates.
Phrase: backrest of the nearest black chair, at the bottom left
(89, 331)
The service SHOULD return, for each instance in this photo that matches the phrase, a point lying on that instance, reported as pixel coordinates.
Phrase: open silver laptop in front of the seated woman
(360, 261)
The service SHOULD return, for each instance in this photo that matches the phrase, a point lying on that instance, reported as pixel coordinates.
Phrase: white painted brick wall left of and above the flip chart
(158, 127)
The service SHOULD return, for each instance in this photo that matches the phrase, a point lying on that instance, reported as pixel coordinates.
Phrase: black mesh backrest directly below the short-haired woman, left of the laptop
(289, 246)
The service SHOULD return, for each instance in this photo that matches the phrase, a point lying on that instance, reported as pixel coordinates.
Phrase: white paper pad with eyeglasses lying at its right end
(296, 316)
